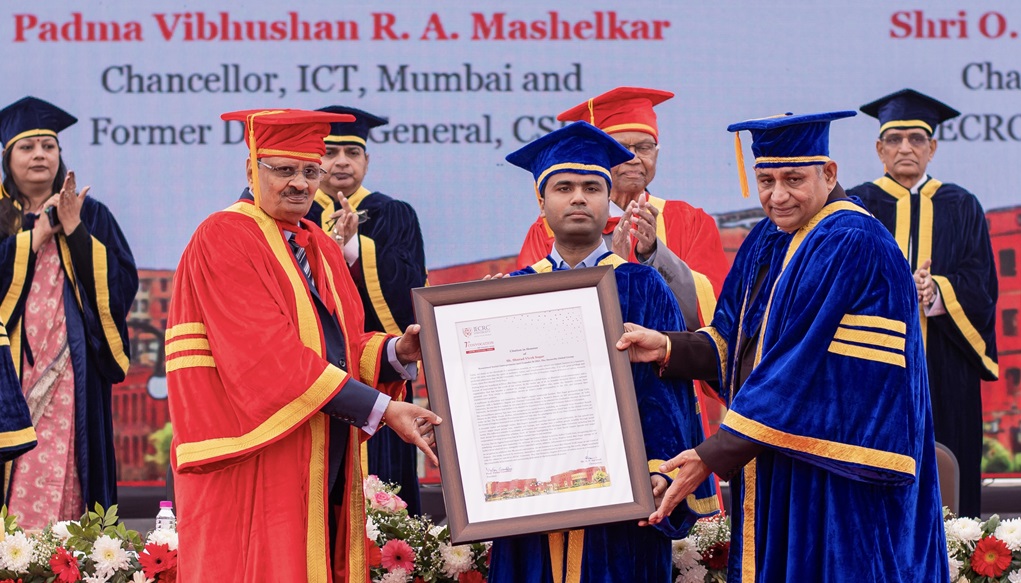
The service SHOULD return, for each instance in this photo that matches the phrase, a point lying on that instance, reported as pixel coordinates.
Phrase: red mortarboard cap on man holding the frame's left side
(289, 133)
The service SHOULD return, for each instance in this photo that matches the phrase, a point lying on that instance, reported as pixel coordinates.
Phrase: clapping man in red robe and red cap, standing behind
(679, 240)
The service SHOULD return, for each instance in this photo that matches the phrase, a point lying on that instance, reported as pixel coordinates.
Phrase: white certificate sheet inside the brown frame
(536, 415)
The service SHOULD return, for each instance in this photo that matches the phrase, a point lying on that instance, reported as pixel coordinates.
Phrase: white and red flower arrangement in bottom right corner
(984, 552)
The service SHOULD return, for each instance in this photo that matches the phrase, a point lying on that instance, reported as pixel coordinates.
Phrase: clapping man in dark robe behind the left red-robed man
(382, 244)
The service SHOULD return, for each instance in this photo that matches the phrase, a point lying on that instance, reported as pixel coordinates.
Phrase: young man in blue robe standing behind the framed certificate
(571, 168)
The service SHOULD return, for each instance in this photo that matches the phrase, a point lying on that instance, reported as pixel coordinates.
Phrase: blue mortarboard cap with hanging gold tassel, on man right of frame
(787, 140)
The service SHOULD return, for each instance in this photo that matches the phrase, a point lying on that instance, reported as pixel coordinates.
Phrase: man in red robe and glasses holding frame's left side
(271, 378)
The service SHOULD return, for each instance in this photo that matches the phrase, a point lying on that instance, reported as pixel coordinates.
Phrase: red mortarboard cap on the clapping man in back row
(621, 110)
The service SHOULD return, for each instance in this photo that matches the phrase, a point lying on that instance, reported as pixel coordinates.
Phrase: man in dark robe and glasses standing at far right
(942, 230)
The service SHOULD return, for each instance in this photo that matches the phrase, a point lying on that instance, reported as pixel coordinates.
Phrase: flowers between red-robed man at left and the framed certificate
(404, 549)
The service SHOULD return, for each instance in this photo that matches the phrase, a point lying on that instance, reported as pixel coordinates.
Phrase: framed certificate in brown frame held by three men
(541, 429)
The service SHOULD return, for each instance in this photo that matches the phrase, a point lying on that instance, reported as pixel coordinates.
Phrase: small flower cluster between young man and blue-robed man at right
(702, 557)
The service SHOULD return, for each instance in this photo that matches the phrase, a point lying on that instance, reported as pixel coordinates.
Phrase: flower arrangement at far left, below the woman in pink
(94, 550)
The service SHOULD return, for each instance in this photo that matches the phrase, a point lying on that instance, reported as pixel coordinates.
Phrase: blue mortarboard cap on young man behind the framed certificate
(579, 149)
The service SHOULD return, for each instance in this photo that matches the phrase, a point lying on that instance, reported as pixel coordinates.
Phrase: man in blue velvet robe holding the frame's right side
(817, 349)
